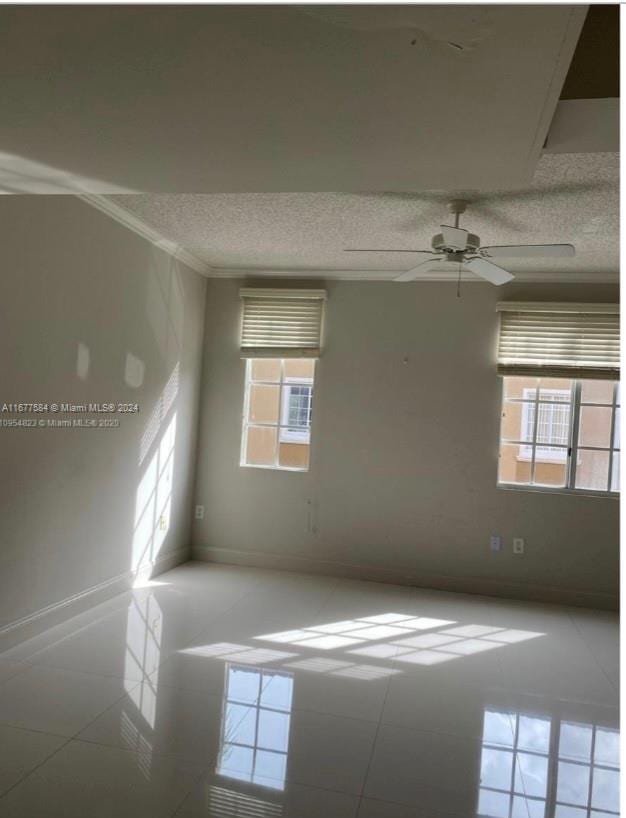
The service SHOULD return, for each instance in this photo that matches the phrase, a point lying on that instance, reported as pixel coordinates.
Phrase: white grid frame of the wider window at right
(573, 449)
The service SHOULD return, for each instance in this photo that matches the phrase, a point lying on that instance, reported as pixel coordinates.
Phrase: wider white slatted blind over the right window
(559, 340)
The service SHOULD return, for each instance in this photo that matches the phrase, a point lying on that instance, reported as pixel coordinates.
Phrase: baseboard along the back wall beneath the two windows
(465, 585)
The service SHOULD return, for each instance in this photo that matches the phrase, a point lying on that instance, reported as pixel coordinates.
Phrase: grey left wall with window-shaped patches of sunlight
(74, 279)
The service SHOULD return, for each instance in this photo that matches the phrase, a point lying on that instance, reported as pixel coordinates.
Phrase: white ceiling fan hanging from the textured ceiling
(462, 249)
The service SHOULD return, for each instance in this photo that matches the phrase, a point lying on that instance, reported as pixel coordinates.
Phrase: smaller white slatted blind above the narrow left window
(280, 323)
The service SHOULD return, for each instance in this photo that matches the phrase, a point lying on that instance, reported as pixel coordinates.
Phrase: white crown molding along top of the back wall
(573, 277)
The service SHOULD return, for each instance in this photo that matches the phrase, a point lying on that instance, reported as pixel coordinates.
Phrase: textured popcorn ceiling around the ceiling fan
(573, 199)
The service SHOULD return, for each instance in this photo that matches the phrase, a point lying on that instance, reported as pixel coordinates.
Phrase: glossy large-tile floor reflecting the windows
(222, 692)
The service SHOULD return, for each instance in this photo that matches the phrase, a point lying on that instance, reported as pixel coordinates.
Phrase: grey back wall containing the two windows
(402, 484)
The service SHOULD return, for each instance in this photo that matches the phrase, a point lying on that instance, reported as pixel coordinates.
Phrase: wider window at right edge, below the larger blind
(560, 433)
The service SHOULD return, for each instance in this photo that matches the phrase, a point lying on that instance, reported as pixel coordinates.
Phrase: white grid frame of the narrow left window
(280, 426)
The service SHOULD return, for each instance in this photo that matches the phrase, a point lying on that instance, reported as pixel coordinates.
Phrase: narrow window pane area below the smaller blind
(278, 407)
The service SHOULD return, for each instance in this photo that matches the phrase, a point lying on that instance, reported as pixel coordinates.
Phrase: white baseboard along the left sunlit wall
(39, 621)
